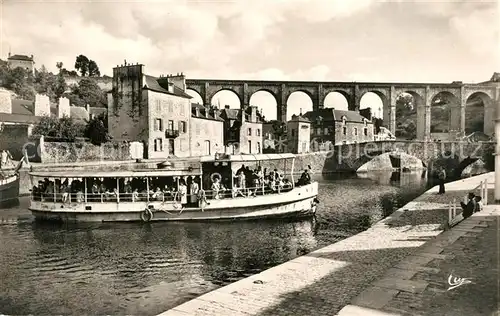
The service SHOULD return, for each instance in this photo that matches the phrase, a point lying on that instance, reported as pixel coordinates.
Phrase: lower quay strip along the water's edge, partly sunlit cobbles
(324, 281)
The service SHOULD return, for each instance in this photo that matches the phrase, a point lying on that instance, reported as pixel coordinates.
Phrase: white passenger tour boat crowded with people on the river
(157, 194)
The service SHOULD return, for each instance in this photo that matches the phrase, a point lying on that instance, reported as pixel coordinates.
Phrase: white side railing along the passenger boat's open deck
(169, 196)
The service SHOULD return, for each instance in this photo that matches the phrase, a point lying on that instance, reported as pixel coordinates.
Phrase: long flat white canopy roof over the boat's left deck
(116, 174)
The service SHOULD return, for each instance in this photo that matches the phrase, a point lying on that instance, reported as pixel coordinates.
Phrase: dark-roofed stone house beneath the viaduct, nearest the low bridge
(336, 127)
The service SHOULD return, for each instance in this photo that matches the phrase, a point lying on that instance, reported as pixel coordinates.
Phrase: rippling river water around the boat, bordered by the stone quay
(145, 269)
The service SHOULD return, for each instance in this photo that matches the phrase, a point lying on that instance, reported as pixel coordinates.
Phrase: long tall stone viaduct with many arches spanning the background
(424, 94)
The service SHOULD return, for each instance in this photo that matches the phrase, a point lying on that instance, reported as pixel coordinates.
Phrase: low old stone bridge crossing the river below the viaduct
(454, 156)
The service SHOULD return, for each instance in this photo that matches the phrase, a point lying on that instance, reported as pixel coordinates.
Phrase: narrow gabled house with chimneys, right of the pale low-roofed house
(242, 130)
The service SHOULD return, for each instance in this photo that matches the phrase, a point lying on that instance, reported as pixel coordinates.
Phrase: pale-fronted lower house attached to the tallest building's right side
(206, 131)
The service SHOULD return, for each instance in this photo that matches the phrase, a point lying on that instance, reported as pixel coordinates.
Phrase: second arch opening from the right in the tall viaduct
(445, 114)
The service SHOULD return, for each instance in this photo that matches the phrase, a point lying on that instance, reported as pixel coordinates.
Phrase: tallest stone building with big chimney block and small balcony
(154, 111)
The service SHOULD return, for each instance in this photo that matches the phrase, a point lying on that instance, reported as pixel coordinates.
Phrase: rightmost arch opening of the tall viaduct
(479, 113)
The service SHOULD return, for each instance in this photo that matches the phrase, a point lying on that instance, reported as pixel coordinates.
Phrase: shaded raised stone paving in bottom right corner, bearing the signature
(419, 286)
